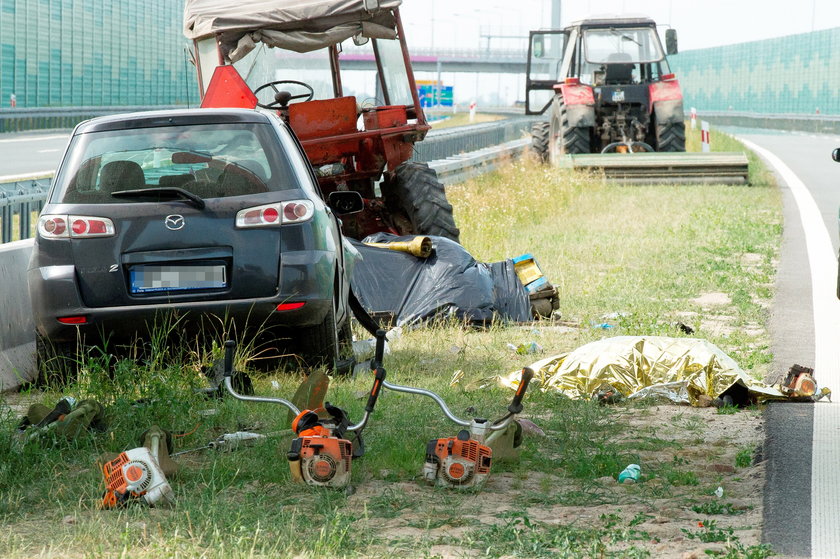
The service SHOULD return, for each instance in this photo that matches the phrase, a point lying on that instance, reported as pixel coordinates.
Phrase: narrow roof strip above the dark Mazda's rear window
(174, 117)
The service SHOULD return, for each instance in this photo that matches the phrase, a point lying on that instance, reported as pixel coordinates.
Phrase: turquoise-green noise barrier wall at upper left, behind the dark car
(89, 53)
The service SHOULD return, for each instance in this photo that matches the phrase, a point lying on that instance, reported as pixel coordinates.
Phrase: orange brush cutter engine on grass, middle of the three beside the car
(318, 456)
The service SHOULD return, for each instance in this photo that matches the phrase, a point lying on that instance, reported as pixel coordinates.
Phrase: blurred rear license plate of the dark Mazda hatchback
(148, 278)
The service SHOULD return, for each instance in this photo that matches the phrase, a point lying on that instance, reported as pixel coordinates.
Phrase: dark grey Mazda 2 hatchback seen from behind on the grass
(203, 218)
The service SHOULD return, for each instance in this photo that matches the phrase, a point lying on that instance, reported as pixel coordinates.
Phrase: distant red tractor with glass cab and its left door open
(607, 86)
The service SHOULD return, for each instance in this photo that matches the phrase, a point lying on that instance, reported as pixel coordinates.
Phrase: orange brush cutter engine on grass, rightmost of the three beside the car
(457, 461)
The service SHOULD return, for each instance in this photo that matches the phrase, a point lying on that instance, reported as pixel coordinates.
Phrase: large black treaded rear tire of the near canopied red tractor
(417, 192)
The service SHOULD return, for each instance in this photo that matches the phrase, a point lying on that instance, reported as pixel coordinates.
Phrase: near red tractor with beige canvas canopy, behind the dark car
(287, 56)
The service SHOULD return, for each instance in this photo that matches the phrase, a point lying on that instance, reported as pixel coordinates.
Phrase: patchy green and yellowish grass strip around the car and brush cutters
(644, 252)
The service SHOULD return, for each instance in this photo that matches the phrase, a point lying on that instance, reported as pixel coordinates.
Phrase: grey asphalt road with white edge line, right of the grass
(802, 445)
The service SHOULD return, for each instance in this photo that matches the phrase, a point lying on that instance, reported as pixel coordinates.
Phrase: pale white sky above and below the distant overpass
(504, 24)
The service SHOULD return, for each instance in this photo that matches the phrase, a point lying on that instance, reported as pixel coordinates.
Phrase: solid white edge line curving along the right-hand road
(825, 451)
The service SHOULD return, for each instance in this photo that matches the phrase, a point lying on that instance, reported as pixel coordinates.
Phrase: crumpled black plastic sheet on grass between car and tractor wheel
(450, 283)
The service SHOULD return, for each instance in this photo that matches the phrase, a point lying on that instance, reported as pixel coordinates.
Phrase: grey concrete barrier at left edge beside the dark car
(17, 329)
